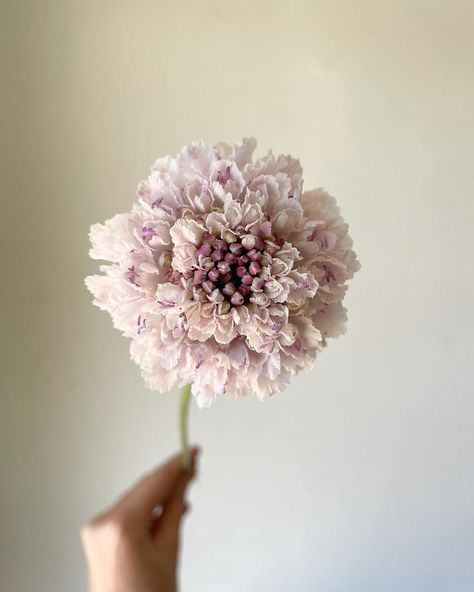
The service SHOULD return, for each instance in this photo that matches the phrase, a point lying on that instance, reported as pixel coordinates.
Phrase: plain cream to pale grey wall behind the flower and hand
(361, 476)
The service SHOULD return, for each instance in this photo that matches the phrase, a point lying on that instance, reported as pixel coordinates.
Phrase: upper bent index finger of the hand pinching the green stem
(155, 488)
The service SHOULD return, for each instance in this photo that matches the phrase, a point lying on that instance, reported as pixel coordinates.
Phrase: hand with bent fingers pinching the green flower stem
(128, 548)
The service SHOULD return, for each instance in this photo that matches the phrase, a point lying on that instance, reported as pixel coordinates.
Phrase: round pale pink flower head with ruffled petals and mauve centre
(225, 274)
